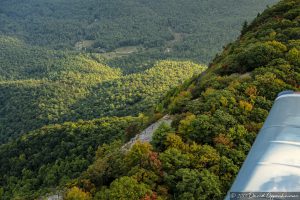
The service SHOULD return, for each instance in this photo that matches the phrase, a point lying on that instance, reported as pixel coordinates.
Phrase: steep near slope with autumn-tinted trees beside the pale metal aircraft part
(217, 117)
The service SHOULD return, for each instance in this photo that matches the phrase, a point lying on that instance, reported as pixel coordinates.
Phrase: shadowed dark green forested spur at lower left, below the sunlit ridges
(55, 154)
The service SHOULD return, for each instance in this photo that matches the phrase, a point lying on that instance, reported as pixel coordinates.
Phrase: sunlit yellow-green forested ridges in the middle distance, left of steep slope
(40, 87)
